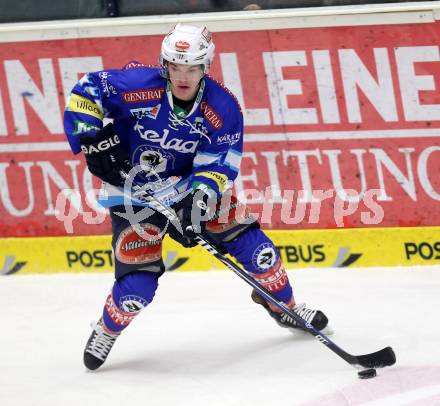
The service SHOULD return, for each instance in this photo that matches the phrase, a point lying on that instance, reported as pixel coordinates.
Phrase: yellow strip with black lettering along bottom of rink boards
(343, 248)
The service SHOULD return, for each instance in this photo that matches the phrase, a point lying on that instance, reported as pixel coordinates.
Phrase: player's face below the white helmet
(185, 80)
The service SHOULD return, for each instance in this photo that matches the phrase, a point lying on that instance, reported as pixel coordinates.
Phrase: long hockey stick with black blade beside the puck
(379, 359)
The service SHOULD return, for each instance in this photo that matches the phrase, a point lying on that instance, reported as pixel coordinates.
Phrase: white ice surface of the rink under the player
(203, 342)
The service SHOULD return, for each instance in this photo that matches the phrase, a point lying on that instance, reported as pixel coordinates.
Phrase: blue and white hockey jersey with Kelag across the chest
(201, 147)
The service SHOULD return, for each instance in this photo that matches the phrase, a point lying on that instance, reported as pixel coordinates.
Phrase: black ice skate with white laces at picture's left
(98, 346)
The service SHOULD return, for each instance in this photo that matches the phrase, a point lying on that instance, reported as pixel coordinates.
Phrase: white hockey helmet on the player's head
(188, 45)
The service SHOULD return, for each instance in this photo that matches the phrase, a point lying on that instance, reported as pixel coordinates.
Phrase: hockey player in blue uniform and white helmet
(181, 133)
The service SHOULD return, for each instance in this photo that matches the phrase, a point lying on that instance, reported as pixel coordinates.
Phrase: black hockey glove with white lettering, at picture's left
(105, 156)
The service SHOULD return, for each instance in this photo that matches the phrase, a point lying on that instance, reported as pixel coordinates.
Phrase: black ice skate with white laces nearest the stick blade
(315, 317)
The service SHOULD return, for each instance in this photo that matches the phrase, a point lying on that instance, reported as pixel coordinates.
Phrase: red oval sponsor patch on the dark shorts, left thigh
(139, 244)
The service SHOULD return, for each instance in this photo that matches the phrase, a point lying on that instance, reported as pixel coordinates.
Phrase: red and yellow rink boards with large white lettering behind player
(341, 108)
